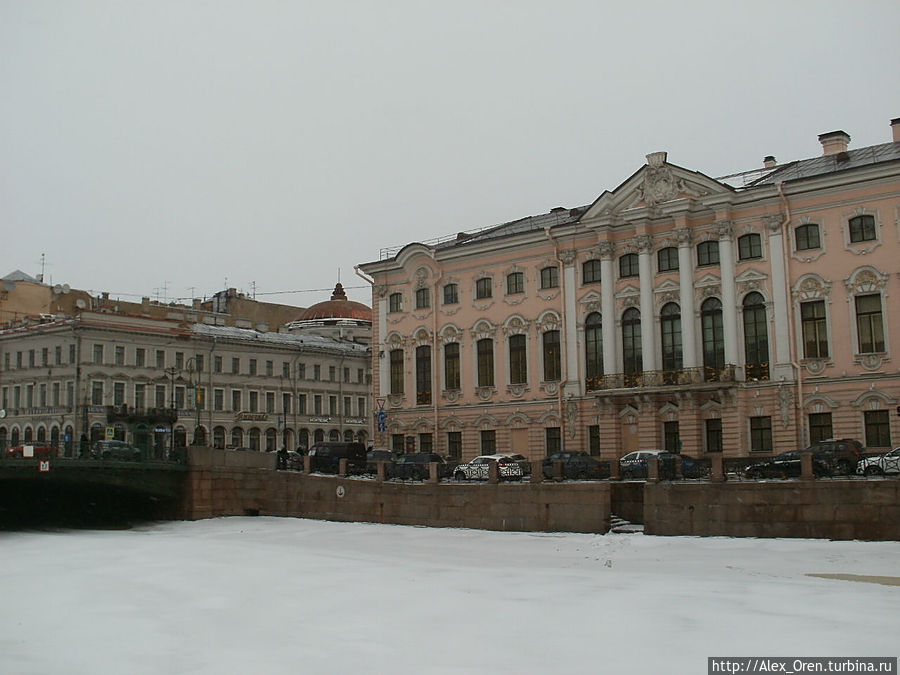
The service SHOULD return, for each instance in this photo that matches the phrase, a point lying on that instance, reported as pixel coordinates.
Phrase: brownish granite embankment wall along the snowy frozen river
(227, 483)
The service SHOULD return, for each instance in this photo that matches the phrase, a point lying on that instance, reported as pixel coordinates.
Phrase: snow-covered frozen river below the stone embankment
(269, 595)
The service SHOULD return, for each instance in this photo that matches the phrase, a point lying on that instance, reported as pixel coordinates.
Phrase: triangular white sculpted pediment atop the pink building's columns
(654, 184)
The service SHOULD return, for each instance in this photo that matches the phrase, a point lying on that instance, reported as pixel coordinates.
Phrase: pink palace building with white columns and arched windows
(749, 313)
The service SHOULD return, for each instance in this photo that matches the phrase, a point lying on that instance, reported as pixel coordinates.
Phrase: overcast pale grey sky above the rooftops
(163, 144)
